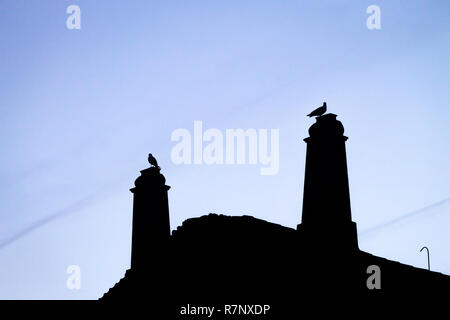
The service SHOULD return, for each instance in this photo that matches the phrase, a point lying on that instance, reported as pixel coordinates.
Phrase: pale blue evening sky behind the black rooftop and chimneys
(80, 110)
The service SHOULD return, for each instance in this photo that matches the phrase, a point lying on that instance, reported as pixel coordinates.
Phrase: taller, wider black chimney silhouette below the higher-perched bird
(326, 216)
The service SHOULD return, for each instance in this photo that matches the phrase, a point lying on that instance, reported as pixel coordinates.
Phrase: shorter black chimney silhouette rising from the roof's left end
(151, 226)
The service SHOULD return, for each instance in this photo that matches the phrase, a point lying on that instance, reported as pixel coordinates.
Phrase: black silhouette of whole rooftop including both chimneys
(217, 259)
